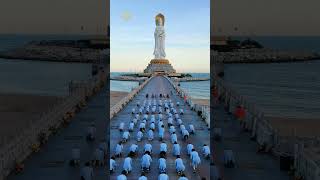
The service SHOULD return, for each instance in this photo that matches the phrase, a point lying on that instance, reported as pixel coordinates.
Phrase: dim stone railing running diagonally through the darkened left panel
(30, 139)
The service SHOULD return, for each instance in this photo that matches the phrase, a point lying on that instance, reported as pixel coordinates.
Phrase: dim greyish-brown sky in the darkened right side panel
(266, 17)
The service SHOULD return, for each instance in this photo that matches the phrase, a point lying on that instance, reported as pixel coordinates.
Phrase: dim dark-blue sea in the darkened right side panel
(284, 89)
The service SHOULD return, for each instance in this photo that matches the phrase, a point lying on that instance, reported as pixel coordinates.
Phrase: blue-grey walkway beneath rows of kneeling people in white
(161, 85)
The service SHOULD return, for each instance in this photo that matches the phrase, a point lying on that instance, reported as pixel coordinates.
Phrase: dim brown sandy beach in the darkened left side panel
(17, 110)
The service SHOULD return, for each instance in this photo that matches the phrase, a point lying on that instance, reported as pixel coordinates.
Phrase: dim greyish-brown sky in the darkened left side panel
(53, 16)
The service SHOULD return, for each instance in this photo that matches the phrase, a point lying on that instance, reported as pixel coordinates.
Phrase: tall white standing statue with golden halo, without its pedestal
(159, 36)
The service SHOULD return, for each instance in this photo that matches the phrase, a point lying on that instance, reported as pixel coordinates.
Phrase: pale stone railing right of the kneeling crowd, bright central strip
(203, 110)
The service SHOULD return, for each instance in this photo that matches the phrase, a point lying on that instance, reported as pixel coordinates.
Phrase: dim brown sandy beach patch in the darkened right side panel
(303, 127)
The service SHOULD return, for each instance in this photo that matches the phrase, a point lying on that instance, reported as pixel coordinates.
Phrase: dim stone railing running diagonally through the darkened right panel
(269, 137)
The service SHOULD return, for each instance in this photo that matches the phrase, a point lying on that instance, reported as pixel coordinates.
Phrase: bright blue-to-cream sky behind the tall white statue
(187, 26)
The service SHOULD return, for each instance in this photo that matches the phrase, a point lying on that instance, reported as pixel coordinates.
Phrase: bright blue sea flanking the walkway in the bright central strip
(197, 89)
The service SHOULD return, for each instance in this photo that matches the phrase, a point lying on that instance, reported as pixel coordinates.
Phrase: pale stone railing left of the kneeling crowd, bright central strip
(124, 101)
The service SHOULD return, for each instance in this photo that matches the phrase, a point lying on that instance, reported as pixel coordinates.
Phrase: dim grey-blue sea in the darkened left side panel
(36, 77)
